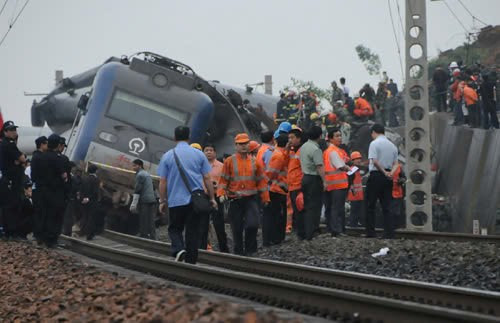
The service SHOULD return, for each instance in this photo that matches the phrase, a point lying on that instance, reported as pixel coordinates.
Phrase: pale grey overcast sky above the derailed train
(234, 41)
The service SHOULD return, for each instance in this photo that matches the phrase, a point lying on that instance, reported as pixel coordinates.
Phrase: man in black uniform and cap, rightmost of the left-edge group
(51, 181)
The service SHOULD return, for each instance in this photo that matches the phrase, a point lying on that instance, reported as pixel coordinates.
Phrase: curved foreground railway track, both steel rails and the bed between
(310, 290)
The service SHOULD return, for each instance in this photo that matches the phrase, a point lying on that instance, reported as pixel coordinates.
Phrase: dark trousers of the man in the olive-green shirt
(312, 187)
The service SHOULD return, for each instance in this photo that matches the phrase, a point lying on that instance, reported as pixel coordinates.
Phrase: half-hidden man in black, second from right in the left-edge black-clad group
(41, 147)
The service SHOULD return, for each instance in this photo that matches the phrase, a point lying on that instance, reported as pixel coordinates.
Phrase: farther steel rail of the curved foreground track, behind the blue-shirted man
(426, 293)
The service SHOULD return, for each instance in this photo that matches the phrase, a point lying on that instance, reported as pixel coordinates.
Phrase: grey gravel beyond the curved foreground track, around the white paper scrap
(465, 264)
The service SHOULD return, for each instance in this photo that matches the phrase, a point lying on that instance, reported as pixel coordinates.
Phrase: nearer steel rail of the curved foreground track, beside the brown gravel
(320, 301)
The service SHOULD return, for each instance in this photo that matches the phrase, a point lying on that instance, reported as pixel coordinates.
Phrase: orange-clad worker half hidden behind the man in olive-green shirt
(294, 179)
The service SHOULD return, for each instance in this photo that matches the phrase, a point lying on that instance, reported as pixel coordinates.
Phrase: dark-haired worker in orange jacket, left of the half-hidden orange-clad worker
(274, 221)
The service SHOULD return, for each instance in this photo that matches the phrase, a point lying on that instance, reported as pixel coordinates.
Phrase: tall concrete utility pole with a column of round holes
(417, 136)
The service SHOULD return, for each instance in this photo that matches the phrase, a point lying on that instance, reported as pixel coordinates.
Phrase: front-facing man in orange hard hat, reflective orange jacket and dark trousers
(241, 180)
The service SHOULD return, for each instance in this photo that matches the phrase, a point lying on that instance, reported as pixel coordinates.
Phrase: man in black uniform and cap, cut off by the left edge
(11, 182)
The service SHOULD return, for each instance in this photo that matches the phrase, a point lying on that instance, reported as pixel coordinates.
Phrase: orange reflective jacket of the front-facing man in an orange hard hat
(242, 177)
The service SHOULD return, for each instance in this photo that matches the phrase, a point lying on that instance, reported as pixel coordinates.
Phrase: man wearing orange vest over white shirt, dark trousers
(335, 160)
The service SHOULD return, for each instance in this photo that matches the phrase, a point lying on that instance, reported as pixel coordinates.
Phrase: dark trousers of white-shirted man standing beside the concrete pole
(379, 187)
